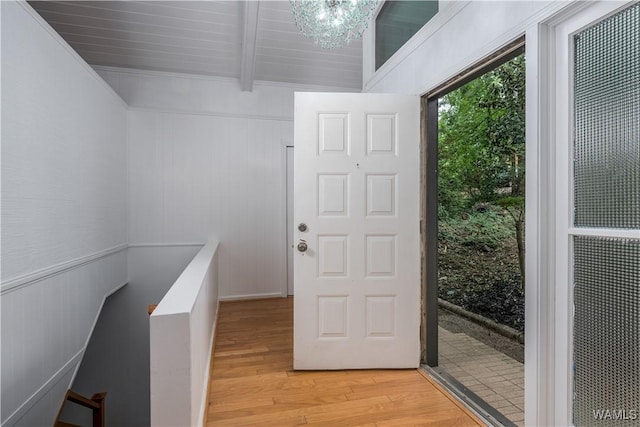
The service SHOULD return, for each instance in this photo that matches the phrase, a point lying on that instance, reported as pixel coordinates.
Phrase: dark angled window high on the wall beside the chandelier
(397, 22)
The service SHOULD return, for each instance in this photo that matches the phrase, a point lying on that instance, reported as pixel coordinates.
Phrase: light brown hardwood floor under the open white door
(253, 384)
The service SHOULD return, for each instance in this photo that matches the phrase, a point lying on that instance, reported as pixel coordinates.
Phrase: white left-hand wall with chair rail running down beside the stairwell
(64, 212)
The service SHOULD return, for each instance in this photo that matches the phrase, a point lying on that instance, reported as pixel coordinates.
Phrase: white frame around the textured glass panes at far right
(561, 107)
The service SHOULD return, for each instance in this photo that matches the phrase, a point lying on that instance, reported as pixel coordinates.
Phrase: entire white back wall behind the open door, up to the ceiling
(207, 159)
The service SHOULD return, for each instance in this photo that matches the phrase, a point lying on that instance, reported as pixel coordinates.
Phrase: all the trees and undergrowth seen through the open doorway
(481, 187)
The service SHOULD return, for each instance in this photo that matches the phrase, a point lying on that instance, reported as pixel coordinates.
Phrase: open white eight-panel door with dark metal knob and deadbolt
(357, 190)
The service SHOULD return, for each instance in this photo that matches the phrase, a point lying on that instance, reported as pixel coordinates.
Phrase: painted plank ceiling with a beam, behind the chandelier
(248, 40)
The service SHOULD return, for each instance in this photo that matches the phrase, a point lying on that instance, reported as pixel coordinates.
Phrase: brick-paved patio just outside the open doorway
(493, 376)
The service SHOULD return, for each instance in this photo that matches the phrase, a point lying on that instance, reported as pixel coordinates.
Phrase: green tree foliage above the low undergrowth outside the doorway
(482, 147)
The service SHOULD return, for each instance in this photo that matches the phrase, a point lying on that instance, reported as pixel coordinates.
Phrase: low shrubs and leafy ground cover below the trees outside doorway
(478, 264)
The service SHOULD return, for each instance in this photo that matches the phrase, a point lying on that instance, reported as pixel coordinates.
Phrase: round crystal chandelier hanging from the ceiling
(332, 23)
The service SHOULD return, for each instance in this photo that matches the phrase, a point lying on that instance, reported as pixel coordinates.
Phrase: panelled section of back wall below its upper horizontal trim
(194, 175)
